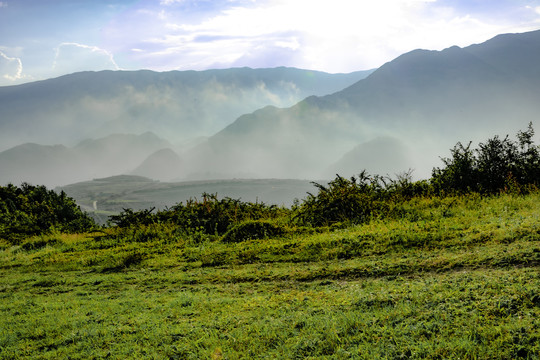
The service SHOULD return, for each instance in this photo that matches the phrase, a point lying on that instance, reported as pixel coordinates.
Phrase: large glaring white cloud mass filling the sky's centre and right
(343, 35)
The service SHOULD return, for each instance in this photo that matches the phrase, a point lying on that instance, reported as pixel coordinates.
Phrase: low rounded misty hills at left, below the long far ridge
(54, 165)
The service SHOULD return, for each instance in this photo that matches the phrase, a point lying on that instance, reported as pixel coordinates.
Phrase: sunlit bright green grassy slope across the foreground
(453, 278)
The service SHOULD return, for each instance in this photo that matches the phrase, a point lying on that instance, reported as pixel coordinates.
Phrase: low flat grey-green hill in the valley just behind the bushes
(111, 195)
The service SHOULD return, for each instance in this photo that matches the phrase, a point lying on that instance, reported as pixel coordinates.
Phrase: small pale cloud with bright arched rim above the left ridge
(72, 57)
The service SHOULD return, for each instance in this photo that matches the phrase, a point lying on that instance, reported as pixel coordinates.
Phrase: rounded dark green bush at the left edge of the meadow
(31, 210)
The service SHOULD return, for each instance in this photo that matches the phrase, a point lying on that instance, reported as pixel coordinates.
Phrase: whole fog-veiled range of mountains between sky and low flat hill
(275, 123)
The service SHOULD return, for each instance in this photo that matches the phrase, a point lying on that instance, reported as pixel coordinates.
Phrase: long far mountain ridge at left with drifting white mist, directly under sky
(176, 105)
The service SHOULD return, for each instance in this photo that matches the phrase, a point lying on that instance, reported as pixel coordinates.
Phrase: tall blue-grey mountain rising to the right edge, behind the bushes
(427, 100)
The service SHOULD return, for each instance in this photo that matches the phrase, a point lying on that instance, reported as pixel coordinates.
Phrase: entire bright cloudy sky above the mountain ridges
(42, 39)
